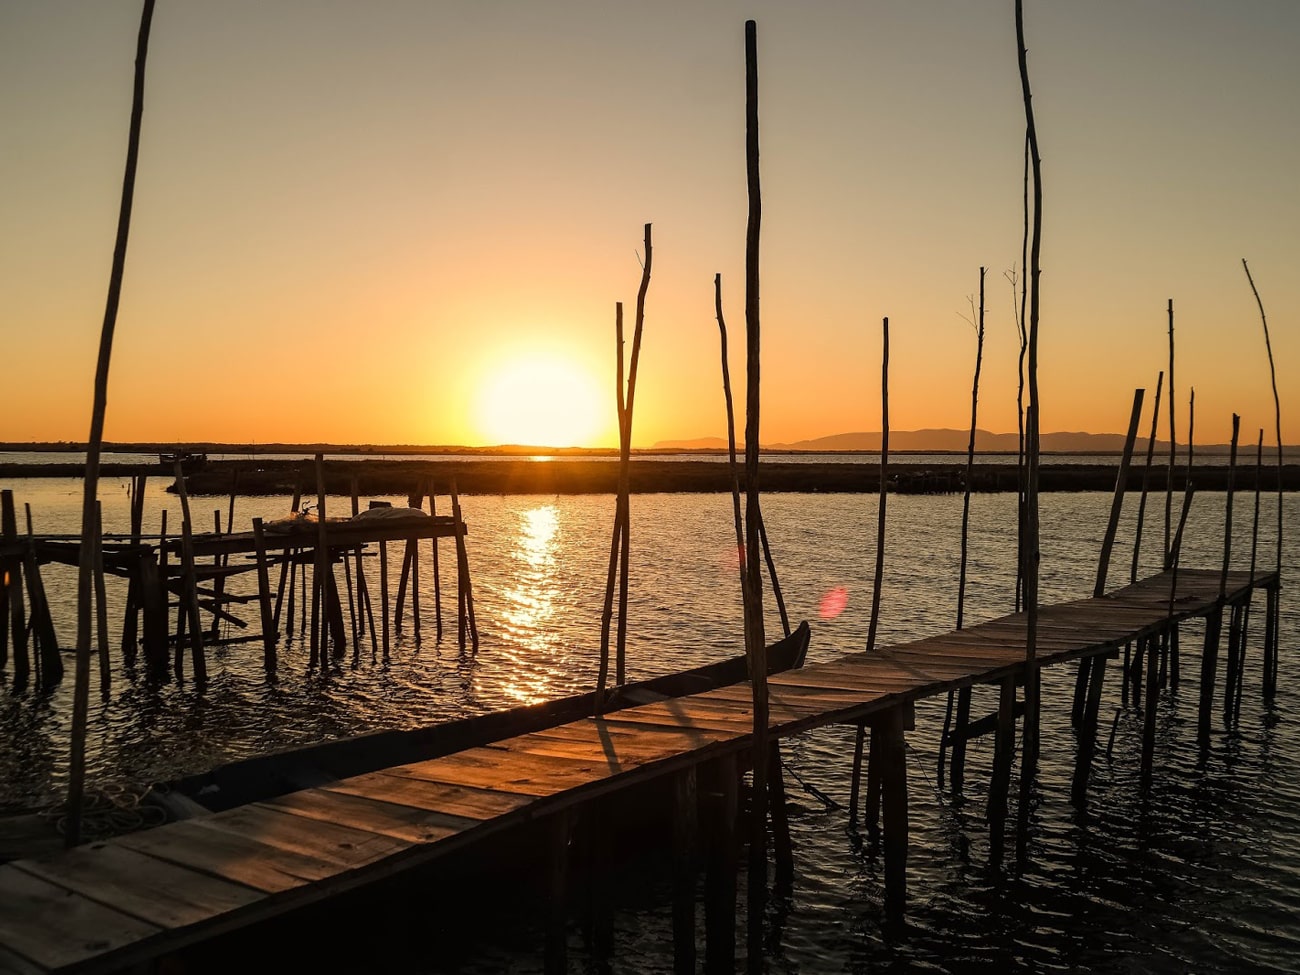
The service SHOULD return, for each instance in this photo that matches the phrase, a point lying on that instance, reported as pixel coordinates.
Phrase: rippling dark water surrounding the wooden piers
(1204, 878)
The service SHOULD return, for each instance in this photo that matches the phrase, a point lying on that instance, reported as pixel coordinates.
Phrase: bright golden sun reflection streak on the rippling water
(530, 610)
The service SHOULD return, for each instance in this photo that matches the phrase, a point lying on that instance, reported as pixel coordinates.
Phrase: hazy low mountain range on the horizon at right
(944, 441)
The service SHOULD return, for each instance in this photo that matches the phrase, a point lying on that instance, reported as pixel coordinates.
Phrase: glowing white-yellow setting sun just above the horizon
(543, 401)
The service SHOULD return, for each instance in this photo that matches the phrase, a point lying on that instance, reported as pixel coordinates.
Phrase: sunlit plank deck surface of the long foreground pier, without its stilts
(107, 905)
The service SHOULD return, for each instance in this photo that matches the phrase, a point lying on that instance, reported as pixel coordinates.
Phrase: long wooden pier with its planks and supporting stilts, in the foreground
(138, 898)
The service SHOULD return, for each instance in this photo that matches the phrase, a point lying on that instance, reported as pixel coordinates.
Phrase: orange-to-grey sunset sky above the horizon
(357, 222)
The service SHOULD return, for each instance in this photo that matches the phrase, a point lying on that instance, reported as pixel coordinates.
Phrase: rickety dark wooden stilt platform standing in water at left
(180, 593)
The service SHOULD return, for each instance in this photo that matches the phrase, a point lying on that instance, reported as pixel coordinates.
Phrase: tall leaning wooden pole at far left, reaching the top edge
(96, 443)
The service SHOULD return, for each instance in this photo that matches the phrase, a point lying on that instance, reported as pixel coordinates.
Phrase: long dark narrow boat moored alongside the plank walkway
(267, 777)
